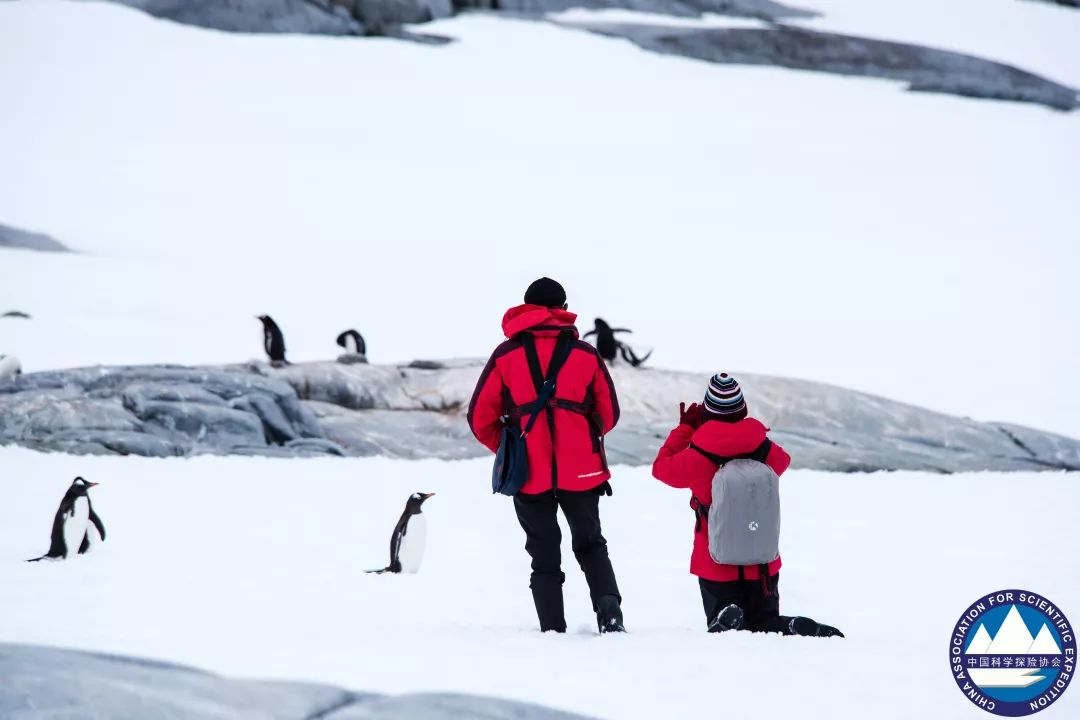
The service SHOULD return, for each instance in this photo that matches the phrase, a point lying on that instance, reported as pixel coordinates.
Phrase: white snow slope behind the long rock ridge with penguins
(839, 229)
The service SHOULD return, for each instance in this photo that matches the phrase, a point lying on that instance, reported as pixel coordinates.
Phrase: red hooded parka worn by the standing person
(506, 384)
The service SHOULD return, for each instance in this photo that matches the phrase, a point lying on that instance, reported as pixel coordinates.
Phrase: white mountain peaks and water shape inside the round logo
(1012, 641)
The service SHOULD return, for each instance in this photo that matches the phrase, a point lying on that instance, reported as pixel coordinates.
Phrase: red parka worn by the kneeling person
(680, 466)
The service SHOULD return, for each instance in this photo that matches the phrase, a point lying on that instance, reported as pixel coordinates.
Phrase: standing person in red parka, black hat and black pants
(565, 450)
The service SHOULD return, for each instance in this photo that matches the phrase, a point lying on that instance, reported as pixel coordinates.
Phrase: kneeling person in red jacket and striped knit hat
(735, 597)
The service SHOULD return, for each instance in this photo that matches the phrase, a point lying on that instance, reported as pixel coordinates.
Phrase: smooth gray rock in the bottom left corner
(51, 683)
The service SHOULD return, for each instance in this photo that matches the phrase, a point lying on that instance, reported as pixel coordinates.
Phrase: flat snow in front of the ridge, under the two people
(254, 568)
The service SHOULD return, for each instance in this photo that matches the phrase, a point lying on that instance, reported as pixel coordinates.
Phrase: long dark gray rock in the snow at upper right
(924, 70)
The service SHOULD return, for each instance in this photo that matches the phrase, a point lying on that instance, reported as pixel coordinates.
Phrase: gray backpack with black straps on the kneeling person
(745, 518)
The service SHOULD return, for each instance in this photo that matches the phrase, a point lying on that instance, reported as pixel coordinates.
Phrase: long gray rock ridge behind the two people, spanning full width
(417, 411)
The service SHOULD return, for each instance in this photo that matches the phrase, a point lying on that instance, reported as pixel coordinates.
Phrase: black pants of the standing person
(544, 544)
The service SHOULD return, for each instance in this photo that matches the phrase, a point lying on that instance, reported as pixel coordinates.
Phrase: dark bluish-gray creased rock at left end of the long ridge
(178, 411)
